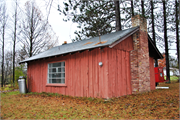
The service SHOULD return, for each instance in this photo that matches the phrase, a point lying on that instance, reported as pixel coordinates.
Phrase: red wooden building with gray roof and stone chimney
(121, 64)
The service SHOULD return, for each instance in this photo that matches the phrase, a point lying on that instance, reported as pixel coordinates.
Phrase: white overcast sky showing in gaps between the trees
(64, 30)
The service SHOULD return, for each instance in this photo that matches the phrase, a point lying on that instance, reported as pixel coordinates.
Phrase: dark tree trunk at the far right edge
(177, 30)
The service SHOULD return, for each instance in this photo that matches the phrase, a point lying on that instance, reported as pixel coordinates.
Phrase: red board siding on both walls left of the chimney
(84, 76)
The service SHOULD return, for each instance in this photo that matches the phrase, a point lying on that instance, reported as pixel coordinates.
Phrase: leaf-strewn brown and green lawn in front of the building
(157, 104)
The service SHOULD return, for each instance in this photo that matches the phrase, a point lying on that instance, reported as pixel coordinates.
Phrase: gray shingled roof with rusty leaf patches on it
(107, 40)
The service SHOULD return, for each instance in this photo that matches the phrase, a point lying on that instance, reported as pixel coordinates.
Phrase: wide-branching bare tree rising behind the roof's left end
(37, 34)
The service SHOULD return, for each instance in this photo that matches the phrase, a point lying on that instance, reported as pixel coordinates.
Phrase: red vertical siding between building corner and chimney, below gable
(119, 73)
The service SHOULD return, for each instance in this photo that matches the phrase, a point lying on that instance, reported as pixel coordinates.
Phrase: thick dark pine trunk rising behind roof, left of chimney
(118, 16)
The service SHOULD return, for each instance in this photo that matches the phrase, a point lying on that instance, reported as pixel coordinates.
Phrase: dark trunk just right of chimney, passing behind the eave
(153, 29)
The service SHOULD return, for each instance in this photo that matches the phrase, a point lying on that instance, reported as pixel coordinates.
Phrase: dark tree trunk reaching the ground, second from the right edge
(166, 41)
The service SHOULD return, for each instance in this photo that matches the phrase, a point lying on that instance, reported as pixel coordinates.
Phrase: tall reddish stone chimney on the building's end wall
(139, 57)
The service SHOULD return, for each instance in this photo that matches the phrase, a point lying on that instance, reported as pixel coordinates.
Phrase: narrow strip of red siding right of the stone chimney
(152, 73)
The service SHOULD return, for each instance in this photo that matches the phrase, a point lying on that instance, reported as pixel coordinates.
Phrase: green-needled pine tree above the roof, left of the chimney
(93, 16)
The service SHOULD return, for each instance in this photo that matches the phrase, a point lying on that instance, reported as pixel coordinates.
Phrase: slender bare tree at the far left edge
(3, 22)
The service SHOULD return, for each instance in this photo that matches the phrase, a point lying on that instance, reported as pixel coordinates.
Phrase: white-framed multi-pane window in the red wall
(56, 73)
